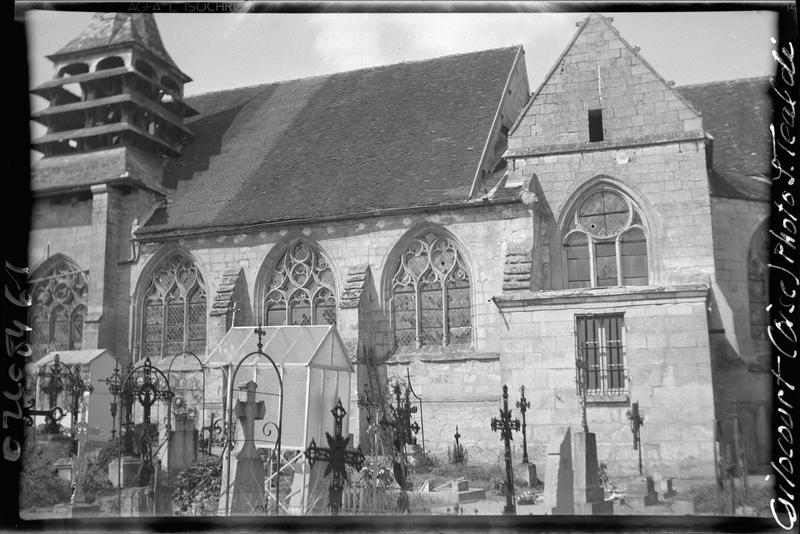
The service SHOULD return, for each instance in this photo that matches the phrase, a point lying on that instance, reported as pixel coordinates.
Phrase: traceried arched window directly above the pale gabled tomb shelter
(301, 290)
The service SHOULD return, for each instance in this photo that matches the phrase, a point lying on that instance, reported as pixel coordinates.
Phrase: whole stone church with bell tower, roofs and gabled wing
(460, 230)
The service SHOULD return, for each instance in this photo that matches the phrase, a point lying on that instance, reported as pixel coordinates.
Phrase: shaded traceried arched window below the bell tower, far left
(58, 308)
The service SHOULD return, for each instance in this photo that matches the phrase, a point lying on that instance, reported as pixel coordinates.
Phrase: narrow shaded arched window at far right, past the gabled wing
(757, 288)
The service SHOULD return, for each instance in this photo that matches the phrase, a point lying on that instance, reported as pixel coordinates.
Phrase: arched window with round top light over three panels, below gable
(605, 242)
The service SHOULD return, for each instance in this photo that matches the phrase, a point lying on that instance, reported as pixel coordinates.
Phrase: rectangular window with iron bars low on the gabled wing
(601, 354)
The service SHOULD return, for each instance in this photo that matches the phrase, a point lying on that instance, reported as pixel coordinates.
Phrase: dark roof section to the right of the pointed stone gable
(737, 113)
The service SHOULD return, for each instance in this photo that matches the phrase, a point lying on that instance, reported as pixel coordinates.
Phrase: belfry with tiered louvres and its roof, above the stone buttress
(116, 100)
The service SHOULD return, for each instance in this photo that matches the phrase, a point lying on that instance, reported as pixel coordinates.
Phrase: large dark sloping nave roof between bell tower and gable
(398, 136)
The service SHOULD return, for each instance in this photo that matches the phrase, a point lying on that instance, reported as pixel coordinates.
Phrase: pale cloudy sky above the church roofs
(221, 51)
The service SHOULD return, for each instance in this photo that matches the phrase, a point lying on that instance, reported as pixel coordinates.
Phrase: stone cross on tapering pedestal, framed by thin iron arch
(245, 493)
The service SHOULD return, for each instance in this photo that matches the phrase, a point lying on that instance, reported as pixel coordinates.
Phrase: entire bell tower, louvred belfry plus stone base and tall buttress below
(115, 116)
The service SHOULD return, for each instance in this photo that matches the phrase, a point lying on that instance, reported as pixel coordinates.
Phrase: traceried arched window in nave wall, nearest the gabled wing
(431, 294)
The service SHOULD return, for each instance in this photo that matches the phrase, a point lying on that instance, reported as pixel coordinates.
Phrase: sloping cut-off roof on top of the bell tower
(114, 29)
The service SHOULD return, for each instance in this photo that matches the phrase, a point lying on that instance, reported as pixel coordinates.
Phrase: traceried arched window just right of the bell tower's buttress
(174, 310)
